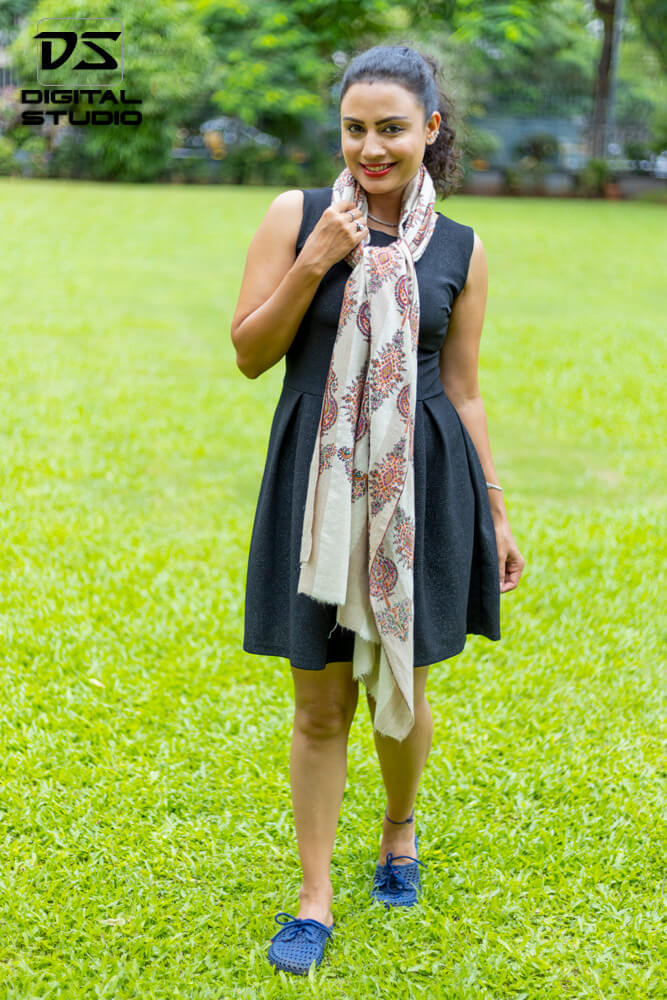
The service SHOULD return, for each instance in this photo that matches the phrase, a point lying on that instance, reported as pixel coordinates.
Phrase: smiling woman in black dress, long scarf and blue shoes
(360, 284)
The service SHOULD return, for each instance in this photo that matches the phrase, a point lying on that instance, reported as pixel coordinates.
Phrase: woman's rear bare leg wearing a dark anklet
(402, 764)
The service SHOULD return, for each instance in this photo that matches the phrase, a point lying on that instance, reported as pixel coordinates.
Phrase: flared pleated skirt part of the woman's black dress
(455, 569)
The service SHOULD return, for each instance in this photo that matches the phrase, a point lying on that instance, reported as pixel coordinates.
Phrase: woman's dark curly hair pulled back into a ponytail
(418, 73)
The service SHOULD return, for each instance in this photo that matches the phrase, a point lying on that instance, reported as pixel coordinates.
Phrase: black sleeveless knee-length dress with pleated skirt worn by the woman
(455, 566)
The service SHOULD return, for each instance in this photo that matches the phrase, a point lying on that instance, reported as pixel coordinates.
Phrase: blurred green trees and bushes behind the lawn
(275, 67)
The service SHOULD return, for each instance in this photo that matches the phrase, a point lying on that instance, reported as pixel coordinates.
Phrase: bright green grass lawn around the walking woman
(145, 814)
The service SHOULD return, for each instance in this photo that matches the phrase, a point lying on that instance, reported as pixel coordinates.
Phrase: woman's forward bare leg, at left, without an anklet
(324, 705)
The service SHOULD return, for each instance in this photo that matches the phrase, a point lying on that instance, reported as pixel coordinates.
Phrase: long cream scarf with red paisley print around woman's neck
(357, 545)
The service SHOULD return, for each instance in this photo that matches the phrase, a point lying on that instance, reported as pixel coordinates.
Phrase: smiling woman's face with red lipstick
(384, 123)
